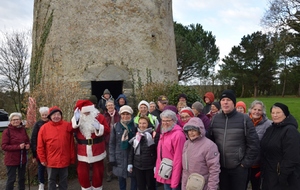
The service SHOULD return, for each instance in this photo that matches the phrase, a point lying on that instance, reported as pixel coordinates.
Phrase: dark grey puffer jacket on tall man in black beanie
(236, 138)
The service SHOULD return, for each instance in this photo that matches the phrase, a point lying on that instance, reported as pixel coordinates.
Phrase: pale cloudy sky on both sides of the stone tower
(228, 20)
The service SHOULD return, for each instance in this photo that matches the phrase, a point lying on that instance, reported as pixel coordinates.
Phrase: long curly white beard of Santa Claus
(86, 127)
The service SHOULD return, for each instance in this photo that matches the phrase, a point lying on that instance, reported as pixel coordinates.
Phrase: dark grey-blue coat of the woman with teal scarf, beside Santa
(118, 155)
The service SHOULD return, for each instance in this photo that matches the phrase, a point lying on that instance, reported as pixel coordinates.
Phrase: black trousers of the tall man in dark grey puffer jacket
(233, 179)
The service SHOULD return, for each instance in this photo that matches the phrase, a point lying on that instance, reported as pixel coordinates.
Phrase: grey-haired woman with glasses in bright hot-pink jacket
(170, 145)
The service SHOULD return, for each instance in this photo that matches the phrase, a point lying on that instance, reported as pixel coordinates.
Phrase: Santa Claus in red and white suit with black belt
(90, 127)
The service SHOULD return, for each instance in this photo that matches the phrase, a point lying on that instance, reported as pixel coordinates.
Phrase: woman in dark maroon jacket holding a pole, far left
(15, 143)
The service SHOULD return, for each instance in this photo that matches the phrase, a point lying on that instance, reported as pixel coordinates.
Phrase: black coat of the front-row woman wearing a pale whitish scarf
(147, 157)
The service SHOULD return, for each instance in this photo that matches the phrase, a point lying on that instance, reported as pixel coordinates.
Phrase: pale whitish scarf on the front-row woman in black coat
(135, 141)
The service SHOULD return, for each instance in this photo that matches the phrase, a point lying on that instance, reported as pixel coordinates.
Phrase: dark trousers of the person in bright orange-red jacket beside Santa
(62, 174)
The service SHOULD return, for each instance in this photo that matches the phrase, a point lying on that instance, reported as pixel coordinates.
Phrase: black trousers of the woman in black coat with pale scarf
(145, 179)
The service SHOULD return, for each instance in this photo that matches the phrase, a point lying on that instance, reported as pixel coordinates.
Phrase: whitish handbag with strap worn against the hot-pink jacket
(166, 166)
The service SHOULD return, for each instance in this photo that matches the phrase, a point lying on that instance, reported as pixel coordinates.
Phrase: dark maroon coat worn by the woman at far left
(12, 137)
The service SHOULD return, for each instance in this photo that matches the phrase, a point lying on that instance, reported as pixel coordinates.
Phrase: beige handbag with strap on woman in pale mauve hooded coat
(195, 181)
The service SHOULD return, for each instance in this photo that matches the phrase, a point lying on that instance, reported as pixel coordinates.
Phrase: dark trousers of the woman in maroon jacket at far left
(12, 174)
